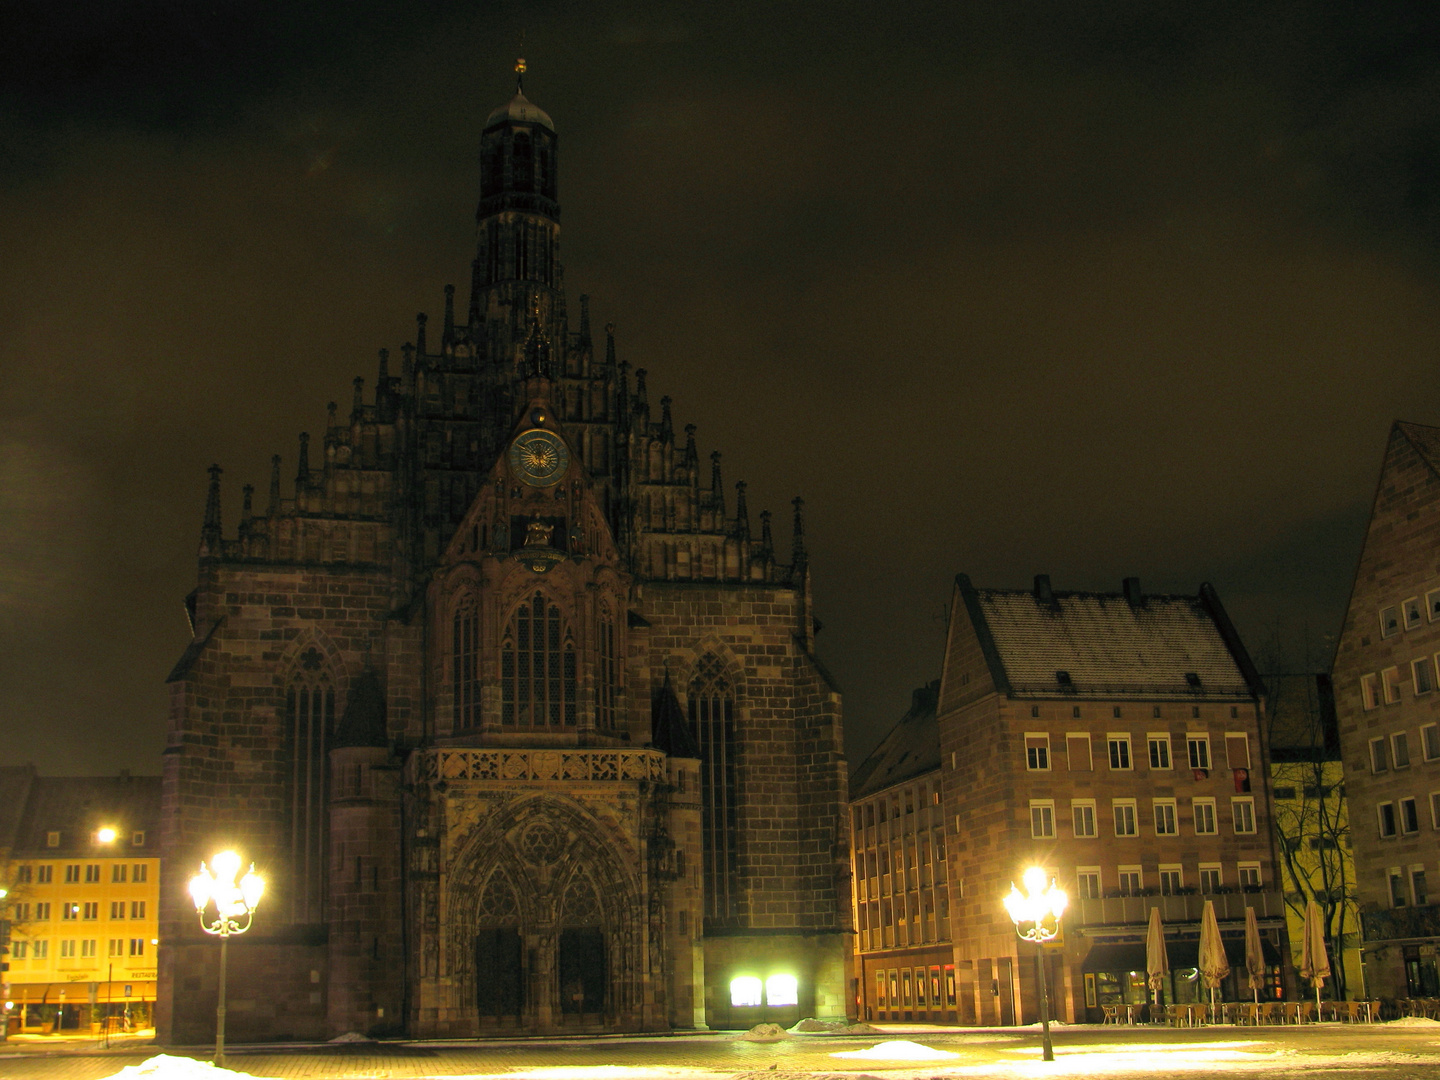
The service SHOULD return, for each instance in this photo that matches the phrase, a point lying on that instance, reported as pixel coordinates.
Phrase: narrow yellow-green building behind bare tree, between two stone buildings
(1313, 820)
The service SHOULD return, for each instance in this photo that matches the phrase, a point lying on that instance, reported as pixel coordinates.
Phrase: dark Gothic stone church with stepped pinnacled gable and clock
(512, 706)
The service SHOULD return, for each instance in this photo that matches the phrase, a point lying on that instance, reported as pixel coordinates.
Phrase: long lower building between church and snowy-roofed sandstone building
(905, 963)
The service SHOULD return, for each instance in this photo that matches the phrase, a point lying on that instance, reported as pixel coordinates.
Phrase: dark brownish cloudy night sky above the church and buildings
(1006, 289)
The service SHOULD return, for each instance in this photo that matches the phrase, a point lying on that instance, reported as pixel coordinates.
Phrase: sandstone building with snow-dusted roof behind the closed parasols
(1112, 739)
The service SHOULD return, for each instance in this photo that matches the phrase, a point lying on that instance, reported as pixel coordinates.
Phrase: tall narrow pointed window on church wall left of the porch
(310, 718)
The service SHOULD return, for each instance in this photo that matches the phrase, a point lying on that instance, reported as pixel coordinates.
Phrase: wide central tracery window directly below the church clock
(538, 669)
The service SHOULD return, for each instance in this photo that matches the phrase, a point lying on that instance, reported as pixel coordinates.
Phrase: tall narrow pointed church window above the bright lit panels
(712, 722)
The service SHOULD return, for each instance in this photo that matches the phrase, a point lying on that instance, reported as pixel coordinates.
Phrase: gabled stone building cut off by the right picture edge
(1387, 670)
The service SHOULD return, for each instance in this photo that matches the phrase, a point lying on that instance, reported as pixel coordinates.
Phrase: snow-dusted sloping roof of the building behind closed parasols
(1091, 644)
